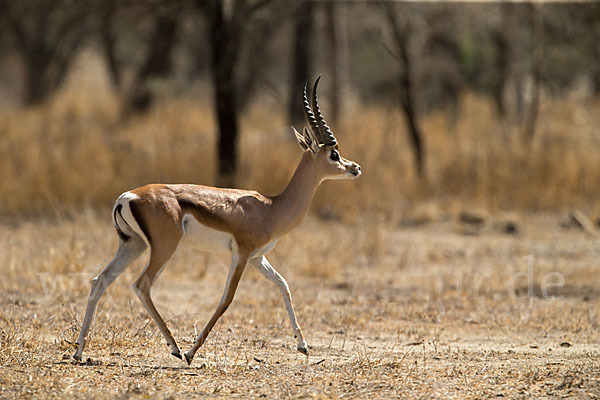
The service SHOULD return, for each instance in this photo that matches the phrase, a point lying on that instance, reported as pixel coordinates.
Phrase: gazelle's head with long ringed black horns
(317, 140)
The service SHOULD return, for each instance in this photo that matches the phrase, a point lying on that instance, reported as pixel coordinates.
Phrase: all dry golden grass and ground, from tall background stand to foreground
(396, 298)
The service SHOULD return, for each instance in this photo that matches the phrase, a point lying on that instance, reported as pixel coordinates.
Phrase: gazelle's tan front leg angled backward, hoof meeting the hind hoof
(238, 263)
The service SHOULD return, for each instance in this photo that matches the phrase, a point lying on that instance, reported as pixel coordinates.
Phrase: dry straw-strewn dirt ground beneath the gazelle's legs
(407, 308)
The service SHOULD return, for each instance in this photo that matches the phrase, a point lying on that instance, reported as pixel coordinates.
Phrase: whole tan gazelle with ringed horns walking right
(244, 223)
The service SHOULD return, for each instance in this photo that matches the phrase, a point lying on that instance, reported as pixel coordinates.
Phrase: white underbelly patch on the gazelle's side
(201, 237)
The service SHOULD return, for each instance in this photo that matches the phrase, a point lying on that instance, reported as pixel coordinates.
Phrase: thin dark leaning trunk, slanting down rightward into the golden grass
(401, 33)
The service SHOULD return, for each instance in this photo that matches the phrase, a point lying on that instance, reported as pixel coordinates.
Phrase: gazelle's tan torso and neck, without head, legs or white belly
(252, 219)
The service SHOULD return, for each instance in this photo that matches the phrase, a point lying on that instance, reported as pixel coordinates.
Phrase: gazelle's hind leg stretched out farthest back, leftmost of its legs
(128, 251)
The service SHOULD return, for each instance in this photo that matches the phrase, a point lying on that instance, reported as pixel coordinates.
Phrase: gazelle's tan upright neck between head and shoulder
(293, 203)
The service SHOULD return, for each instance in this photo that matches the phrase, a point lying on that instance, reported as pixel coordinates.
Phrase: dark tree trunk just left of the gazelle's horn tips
(301, 59)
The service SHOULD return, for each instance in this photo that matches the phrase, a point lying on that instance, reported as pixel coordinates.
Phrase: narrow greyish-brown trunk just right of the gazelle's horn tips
(333, 42)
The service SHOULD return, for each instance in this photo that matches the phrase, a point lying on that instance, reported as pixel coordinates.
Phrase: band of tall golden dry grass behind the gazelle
(77, 151)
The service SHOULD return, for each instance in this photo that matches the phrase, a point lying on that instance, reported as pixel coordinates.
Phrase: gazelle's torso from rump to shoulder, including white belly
(223, 217)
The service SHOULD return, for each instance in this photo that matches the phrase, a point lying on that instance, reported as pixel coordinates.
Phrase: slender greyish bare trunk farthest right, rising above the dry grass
(537, 46)
